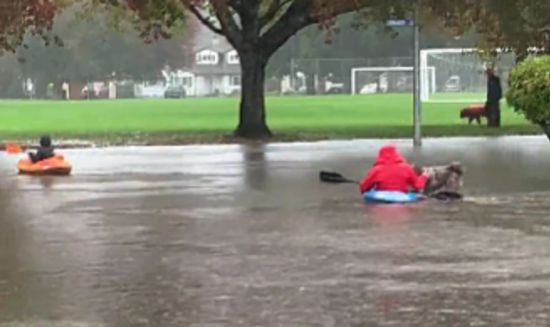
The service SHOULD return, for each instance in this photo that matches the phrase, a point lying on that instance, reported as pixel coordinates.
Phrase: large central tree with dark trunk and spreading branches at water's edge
(255, 28)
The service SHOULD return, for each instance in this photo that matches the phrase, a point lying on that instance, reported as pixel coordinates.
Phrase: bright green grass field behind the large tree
(384, 116)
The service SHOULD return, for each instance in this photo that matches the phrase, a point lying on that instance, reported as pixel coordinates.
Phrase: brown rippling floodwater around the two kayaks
(248, 236)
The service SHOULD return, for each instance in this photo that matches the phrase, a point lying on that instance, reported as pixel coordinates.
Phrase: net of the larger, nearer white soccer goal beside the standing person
(459, 75)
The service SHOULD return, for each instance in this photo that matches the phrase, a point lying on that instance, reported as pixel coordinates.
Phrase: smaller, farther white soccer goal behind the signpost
(372, 80)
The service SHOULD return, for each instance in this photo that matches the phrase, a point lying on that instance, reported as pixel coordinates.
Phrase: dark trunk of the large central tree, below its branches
(252, 117)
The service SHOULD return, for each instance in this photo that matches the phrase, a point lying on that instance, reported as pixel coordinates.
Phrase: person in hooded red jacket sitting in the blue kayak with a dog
(392, 173)
